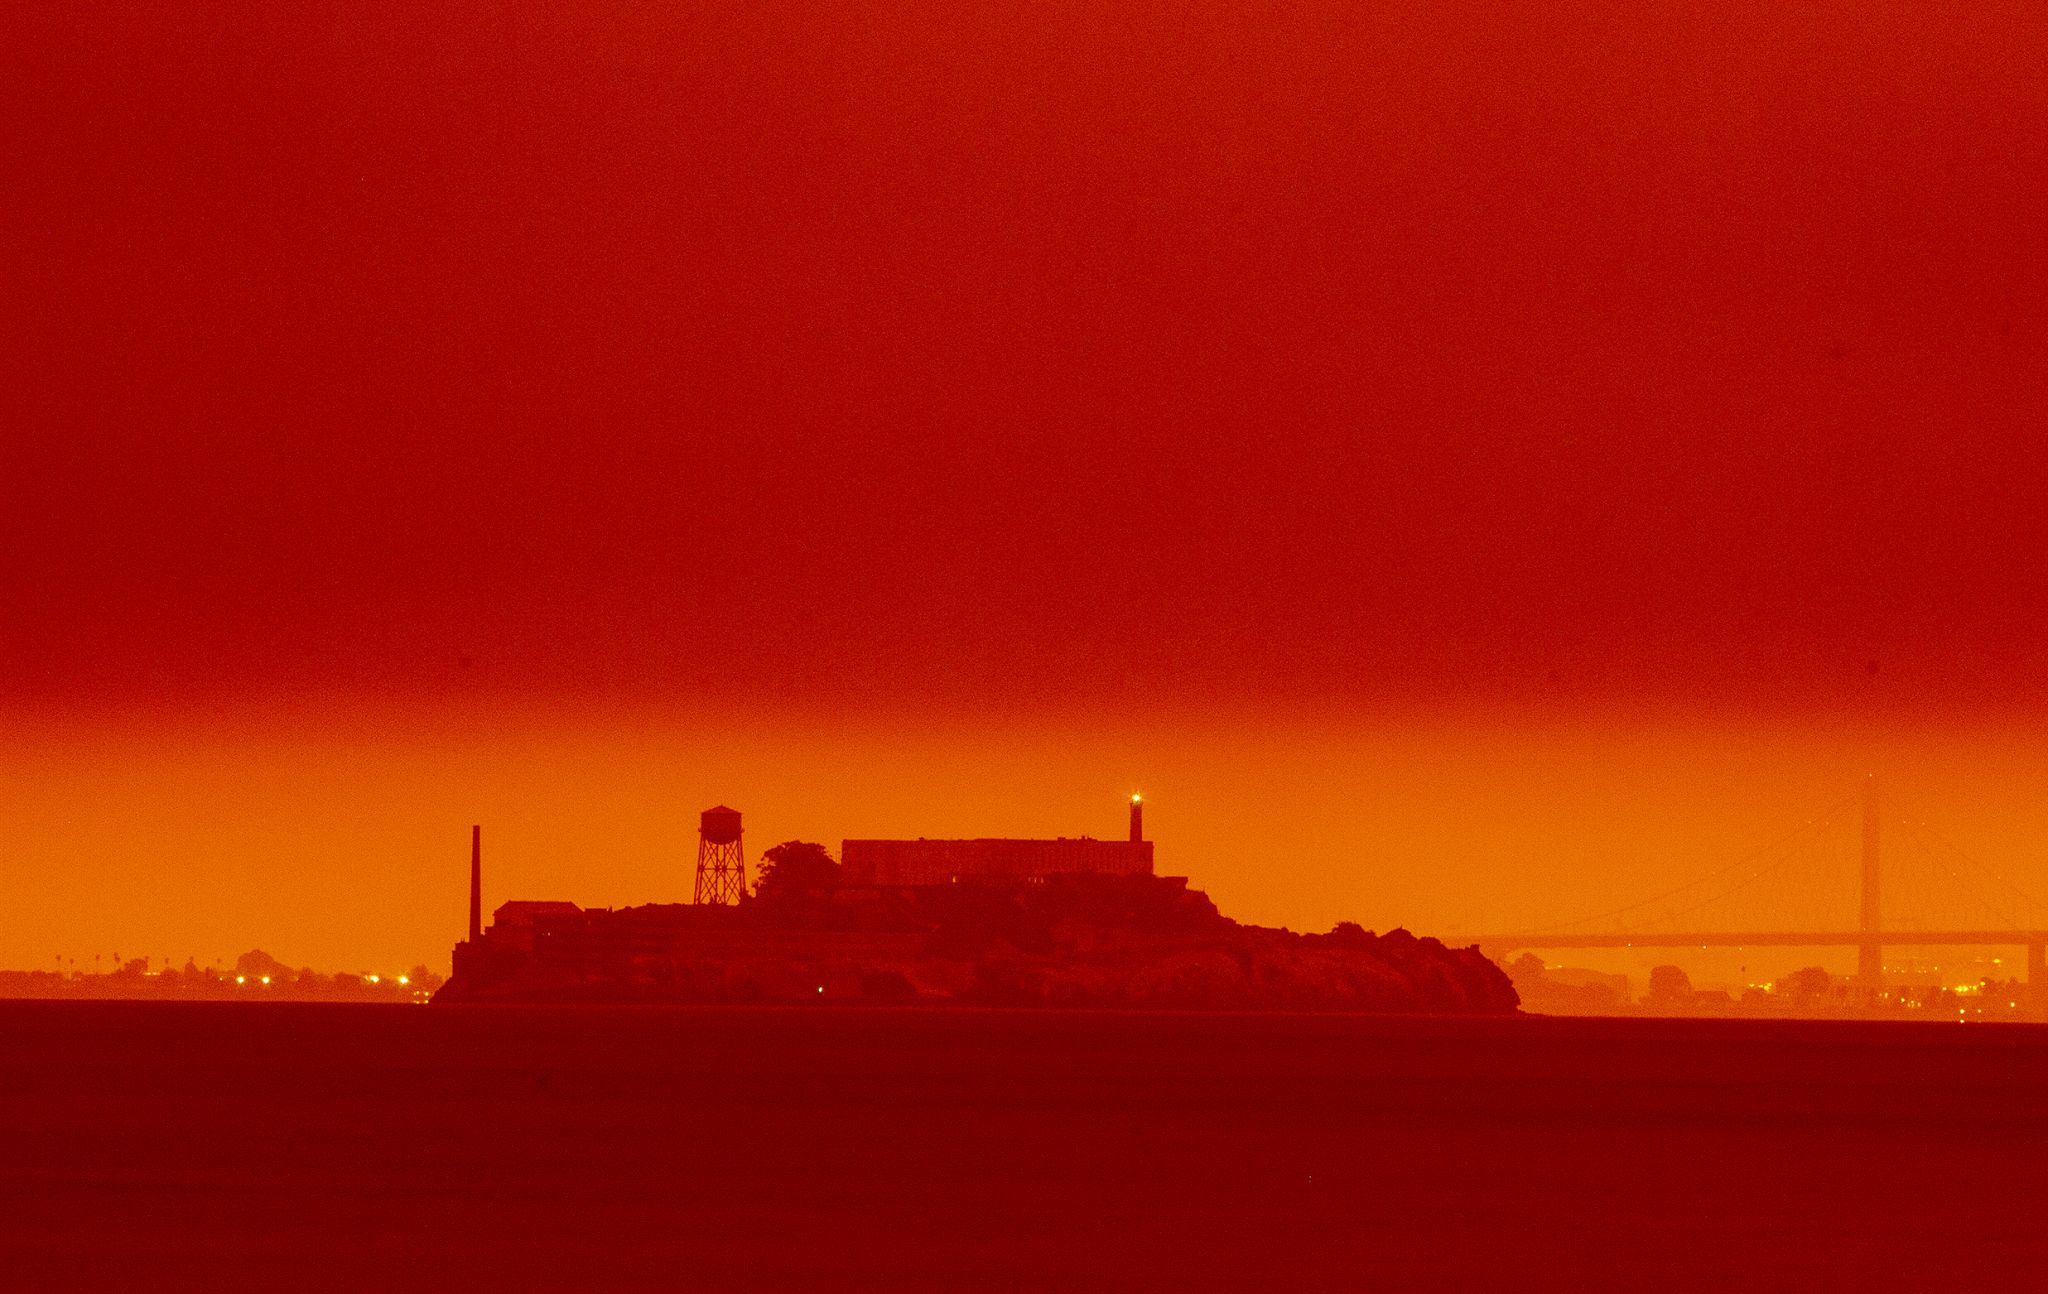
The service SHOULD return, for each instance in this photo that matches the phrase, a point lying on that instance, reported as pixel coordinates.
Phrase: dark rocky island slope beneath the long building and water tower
(1070, 941)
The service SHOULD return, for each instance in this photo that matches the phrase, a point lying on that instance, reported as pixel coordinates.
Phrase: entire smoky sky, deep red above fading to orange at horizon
(1465, 464)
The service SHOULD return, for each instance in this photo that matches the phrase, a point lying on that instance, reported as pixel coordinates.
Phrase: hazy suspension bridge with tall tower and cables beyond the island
(1797, 894)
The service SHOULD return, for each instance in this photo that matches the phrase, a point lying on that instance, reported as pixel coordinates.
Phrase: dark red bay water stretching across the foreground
(198, 1146)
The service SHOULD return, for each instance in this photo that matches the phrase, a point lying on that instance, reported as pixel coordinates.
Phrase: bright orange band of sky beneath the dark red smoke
(345, 845)
